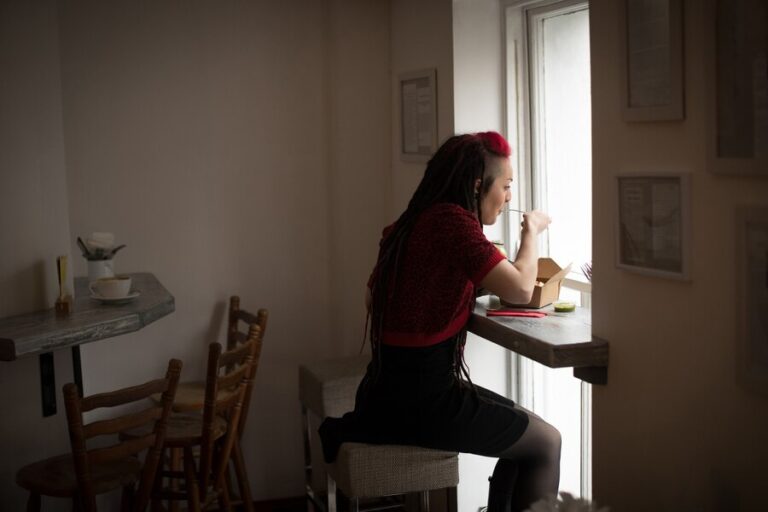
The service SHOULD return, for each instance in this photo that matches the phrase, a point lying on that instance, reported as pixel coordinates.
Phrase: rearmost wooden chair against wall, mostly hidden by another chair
(191, 397)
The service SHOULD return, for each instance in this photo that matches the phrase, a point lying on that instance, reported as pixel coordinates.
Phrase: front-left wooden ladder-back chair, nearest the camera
(87, 472)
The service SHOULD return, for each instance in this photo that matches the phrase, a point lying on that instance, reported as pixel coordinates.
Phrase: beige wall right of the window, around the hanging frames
(672, 429)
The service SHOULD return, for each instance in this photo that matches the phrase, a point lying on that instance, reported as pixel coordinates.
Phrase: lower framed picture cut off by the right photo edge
(752, 297)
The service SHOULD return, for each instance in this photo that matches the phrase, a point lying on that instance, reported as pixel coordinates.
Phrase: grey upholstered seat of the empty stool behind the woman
(327, 388)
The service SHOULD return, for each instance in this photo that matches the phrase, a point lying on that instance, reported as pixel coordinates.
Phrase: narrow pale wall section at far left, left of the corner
(34, 226)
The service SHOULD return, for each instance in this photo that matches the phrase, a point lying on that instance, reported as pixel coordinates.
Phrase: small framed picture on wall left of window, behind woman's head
(418, 115)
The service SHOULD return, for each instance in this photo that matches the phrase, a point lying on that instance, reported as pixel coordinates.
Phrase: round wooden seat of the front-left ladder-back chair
(56, 476)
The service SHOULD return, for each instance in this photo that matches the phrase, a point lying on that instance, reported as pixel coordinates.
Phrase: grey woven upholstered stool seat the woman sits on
(368, 470)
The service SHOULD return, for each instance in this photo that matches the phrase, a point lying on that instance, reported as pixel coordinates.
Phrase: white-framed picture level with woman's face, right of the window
(654, 225)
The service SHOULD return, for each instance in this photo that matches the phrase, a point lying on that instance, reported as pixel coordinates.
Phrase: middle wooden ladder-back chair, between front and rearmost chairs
(214, 432)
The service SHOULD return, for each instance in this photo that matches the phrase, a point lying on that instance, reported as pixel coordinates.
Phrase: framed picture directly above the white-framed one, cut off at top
(652, 60)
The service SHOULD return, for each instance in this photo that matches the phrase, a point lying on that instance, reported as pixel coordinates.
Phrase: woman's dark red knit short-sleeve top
(446, 255)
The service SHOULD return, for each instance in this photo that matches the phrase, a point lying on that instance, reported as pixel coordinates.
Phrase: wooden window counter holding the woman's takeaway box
(558, 340)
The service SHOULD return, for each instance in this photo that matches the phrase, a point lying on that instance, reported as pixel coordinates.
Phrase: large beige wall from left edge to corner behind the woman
(237, 147)
